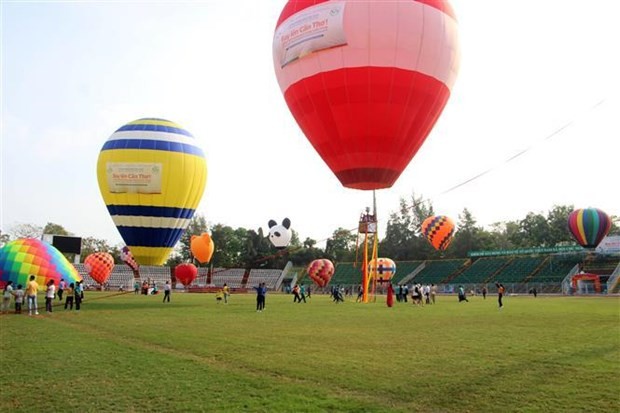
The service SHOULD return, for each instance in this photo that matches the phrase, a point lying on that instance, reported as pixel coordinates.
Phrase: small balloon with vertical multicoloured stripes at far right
(589, 226)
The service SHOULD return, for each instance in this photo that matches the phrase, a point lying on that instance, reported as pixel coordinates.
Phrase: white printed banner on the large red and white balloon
(310, 30)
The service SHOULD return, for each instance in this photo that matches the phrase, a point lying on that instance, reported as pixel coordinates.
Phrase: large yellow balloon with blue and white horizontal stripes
(152, 175)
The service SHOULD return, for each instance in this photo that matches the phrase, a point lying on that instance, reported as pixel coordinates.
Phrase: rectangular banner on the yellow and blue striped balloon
(141, 178)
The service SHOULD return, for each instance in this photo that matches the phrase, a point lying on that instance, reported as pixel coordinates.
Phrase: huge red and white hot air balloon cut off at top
(366, 80)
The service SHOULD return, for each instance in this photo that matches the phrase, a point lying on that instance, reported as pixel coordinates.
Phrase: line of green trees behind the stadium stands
(403, 240)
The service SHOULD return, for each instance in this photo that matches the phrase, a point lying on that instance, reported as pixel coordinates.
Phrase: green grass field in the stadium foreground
(126, 353)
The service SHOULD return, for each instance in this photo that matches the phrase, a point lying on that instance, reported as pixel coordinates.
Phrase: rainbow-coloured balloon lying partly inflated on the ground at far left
(28, 256)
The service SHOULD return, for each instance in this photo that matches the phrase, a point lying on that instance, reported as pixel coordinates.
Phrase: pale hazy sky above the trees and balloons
(540, 76)
